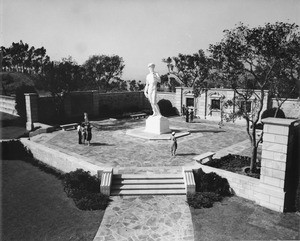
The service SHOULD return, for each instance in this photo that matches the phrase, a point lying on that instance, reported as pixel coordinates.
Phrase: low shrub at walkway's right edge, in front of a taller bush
(203, 199)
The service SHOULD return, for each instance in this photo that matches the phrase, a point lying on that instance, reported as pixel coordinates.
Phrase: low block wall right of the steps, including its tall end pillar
(280, 170)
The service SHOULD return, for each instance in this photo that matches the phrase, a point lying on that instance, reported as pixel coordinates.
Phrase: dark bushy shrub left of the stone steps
(84, 189)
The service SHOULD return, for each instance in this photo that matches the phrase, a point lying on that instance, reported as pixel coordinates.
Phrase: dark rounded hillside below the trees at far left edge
(10, 81)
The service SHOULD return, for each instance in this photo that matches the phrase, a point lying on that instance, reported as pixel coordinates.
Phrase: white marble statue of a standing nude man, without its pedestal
(151, 89)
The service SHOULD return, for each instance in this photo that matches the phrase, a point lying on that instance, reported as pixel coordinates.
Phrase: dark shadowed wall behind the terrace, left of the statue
(93, 103)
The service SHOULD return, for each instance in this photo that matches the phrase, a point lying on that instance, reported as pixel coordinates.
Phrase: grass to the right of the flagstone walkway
(236, 218)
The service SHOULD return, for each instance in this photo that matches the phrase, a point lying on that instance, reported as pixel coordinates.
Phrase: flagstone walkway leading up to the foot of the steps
(150, 218)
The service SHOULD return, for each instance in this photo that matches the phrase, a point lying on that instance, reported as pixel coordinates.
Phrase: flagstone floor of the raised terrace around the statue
(111, 146)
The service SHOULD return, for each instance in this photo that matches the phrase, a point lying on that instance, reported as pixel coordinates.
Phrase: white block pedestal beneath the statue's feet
(157, 125)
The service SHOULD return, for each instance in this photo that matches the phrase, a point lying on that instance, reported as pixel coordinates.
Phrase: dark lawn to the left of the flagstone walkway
(35, 207)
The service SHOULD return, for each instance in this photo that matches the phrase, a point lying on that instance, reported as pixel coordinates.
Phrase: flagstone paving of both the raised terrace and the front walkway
(148, 217)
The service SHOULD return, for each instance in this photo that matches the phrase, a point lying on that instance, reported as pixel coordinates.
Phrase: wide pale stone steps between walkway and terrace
(154, 184)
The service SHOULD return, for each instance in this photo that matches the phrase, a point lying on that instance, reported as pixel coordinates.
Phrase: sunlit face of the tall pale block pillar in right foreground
(271, 192)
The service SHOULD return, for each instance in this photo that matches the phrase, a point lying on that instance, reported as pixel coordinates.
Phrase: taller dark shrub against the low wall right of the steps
(211, 182)
